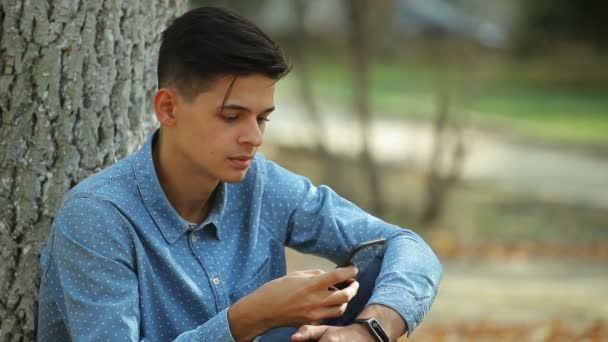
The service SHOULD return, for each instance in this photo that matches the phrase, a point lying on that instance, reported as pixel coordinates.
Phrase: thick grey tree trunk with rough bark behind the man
(76, 83)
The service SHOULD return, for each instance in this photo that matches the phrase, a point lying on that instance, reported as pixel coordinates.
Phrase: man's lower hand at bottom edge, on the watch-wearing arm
(326, 333)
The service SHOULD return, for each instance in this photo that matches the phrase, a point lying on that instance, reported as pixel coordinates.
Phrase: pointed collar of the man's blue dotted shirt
(168, 221)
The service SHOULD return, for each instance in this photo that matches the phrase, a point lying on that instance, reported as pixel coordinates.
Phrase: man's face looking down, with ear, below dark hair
(218, 139)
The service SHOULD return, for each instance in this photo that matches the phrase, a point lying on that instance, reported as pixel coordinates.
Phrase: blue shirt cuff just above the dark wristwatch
(400, 301)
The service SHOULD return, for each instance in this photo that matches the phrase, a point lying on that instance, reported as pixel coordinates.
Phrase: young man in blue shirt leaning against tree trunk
(184, 240)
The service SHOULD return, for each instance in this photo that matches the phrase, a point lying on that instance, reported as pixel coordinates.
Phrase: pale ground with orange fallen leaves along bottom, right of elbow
(514, 299)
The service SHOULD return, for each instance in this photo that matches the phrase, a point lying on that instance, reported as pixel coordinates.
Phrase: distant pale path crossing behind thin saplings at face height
(551, 173)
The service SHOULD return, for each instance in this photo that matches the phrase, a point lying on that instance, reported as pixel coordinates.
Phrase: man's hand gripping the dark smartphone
(296, 299)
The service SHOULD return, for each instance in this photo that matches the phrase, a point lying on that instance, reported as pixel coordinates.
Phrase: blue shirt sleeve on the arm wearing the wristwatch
(323, 223)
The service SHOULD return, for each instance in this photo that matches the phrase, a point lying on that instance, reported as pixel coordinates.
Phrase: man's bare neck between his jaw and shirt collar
(189, 194)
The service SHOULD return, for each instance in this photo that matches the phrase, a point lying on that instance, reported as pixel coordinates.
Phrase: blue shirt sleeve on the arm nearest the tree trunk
(96, 266)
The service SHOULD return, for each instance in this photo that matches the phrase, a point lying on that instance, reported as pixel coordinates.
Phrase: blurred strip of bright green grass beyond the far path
(538, 101)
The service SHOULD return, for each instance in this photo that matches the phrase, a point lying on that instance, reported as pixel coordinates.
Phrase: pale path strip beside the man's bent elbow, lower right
(516, 291)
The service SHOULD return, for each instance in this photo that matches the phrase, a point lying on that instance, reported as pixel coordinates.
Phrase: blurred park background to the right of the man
(481, 125)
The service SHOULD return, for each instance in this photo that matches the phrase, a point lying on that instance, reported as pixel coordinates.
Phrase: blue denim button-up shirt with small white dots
(121, 264)
